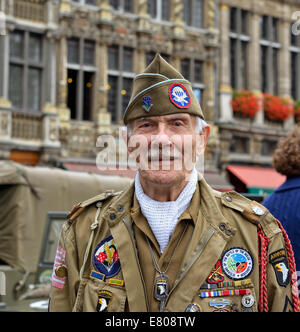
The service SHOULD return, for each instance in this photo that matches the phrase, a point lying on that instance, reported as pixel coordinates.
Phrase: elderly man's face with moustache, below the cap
(165, 147)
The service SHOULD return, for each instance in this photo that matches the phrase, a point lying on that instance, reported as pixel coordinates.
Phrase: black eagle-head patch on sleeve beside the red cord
(280, 263)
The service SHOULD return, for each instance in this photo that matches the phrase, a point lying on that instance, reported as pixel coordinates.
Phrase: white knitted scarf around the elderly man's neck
(163, 216)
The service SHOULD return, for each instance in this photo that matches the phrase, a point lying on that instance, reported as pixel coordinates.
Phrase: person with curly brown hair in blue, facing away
(284, 203)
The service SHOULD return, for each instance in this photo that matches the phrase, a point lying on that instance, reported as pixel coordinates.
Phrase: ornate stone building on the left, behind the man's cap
(66, 67)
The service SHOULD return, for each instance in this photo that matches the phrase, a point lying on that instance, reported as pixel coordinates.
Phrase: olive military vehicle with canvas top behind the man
(34, 203)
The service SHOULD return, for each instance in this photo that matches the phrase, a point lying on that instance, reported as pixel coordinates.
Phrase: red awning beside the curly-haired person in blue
(257, 180)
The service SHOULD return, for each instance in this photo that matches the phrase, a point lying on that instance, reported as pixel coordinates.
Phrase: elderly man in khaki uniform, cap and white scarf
(169, 242)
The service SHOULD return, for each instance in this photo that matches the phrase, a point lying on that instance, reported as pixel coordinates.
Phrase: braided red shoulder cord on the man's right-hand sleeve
(263, 261)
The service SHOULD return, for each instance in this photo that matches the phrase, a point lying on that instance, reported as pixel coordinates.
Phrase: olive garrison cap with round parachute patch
(161, 90)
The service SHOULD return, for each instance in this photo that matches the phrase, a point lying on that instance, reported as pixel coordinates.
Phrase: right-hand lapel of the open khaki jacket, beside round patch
(205, 249)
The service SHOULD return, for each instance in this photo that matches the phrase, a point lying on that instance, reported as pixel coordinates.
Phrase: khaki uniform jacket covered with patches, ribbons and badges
(213, 254)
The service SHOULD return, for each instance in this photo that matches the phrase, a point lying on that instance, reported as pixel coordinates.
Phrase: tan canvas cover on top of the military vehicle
(27, 194)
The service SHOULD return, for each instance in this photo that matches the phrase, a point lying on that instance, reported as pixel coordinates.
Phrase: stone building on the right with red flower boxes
(259, 52)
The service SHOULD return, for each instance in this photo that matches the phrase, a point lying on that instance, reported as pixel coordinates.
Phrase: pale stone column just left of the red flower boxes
(225, 90)
